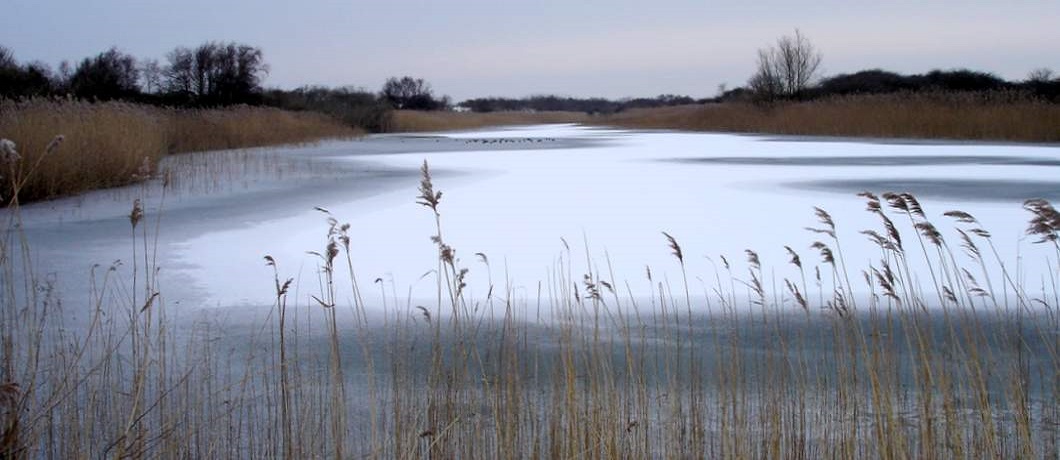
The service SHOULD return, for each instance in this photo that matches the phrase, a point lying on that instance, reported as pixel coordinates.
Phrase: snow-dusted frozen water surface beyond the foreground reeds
(529, 199)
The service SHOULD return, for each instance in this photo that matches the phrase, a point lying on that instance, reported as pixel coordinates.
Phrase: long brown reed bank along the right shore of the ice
(996, 118)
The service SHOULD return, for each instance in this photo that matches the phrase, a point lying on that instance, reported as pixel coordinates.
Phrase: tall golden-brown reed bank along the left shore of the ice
(110, 145)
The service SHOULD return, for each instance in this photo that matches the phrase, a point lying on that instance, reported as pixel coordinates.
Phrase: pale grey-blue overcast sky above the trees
(613, 49)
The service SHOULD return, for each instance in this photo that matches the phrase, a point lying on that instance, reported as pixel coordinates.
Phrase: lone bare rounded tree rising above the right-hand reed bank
(786, 70)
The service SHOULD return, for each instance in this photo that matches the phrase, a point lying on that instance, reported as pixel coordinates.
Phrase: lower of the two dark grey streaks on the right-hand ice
(958, 190)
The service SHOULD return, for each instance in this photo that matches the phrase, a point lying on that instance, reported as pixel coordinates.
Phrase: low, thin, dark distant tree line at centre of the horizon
(555, 103)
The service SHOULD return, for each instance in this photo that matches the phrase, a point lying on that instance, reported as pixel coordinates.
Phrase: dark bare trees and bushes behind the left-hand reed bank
(214, 75)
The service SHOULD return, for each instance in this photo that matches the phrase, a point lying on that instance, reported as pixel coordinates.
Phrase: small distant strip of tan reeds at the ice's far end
(413, 121)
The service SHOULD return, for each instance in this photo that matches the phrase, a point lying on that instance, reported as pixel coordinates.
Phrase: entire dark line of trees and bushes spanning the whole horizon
(216, 75)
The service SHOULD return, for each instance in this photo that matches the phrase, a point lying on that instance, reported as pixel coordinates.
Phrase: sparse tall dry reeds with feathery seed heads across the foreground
(966, 367)
